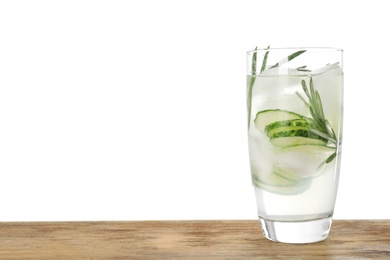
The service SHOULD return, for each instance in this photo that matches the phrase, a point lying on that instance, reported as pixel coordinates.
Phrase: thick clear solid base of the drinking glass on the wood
(302, 232)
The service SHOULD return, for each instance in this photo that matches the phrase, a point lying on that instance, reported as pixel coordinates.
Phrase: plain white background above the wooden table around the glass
(136, 110)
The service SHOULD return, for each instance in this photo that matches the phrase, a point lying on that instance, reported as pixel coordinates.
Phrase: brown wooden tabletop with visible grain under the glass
(348, 239)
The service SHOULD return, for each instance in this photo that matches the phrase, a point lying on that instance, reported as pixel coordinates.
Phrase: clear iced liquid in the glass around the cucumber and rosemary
(313, 195)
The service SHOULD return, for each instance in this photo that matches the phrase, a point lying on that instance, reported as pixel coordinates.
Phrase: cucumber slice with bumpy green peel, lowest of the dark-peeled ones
(296, 136)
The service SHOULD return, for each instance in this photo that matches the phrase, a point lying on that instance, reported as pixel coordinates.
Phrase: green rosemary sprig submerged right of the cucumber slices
(320, 125)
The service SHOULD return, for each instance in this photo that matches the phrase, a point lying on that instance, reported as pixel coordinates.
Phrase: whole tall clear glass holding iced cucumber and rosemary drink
(295, 116)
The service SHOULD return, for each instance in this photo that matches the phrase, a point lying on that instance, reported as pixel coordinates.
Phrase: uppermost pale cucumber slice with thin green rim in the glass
(266, 117)
